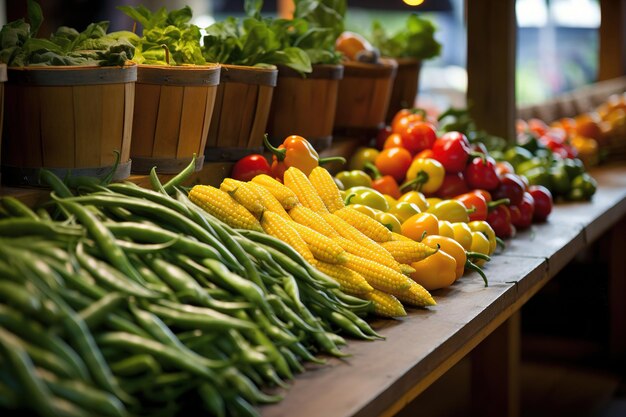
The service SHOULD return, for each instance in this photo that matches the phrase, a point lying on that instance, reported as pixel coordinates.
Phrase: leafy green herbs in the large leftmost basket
(66, 46)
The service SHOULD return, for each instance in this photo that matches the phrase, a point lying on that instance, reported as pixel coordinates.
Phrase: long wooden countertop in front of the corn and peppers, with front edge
(381, 377)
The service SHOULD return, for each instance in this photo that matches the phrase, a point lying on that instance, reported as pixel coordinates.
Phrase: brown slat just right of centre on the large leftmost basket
(88, 120)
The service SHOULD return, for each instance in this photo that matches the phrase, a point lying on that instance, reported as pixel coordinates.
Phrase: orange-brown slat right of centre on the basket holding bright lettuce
(194, 103)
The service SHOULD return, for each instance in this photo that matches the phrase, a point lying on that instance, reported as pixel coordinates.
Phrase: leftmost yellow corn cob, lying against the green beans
(224, 207)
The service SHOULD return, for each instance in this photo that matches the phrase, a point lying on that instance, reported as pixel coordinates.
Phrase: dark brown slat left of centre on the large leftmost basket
(57, 127)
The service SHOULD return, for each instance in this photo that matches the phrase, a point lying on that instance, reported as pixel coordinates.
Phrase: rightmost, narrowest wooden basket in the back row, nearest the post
(405, 86)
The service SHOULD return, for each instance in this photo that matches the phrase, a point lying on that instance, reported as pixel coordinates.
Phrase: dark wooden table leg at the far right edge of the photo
(617, 291)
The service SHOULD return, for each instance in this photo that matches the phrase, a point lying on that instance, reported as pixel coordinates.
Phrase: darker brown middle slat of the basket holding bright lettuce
(168, 122)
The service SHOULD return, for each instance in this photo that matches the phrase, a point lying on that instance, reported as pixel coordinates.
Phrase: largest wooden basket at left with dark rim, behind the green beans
(70, 120)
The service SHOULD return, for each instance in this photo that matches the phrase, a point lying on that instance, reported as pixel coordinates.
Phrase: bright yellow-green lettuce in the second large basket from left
(167, 37)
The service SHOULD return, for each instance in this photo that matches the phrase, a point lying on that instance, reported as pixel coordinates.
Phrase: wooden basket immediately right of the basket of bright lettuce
(242, 107)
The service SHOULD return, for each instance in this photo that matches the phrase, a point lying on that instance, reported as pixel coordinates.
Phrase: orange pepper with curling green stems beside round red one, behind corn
(295, 151)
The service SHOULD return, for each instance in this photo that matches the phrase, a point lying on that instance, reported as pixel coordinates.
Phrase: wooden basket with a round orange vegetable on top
(364, 94)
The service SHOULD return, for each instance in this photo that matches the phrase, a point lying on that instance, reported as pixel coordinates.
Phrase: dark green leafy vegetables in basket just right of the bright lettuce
(255, 41)
